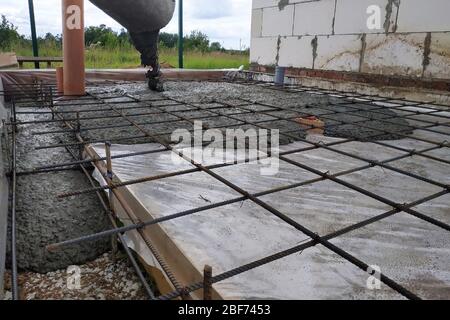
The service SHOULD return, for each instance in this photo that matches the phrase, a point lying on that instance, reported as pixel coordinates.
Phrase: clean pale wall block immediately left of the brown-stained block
(296, 52)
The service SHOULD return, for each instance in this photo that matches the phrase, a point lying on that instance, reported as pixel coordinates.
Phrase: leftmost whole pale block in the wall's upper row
(277, 22)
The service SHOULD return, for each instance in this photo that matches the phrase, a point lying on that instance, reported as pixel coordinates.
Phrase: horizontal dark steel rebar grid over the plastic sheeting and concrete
(353, 98)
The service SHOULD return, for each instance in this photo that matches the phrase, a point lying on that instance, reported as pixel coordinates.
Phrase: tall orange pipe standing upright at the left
(73, 47)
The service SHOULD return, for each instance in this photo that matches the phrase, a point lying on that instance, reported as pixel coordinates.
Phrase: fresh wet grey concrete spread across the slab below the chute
(342, 118)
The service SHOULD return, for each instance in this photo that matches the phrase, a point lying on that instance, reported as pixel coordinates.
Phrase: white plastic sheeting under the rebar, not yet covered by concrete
(413, 252)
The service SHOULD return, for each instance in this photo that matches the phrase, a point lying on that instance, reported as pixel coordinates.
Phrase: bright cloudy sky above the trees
(225, 21)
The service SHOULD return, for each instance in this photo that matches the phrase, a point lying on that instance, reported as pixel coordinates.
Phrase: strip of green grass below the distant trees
(128, 57)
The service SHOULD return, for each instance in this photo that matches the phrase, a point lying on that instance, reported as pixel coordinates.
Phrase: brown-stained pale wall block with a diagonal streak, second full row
(338, 52)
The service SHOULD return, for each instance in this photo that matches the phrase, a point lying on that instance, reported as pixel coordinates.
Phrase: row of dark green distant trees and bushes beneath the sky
(105, 37)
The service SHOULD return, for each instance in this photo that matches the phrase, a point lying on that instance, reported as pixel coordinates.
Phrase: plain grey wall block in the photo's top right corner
(424, 16)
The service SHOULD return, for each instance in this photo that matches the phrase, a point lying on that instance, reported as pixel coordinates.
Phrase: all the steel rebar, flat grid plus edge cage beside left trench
(172, 111)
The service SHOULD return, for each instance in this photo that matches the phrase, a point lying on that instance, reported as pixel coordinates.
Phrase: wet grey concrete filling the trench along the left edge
(43, 219)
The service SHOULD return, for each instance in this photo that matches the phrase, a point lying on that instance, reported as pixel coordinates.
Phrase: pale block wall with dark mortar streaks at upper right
(413, 39)
